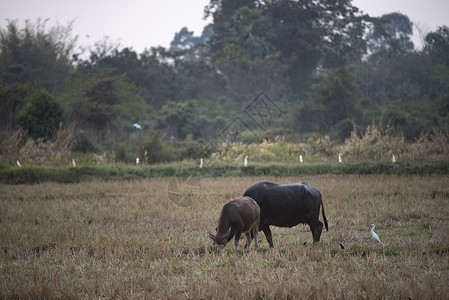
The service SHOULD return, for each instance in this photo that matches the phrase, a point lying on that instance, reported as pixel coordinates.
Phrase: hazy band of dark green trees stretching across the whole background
(325, 63)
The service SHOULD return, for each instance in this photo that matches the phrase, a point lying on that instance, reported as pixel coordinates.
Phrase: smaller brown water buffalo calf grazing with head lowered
(238, 216)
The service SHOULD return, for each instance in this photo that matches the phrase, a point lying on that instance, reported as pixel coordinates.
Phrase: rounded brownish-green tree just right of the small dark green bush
(101, 103)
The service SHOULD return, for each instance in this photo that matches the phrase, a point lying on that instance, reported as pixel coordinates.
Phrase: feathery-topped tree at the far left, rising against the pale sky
(35, 53)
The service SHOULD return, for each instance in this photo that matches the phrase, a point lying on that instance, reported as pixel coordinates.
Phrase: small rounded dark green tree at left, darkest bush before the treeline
(42, 117)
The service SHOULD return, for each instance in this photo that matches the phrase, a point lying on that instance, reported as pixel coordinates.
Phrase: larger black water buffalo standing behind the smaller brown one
(287, 205)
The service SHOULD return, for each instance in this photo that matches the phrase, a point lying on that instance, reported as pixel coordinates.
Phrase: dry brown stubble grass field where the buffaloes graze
(147, 239)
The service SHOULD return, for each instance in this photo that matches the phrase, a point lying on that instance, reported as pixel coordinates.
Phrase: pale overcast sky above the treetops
(143, 24)
